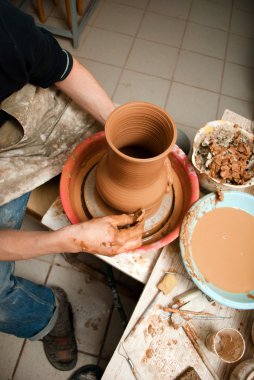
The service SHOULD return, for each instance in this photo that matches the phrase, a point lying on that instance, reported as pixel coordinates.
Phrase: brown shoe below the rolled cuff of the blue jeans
(60, 345)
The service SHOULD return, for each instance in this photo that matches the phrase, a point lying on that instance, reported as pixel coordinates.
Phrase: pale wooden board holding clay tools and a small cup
(168, 361)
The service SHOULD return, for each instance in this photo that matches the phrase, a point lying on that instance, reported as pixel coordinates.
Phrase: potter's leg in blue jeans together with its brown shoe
(31, 311)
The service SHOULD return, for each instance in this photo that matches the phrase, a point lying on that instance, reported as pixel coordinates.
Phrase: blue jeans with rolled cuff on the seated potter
(27, 310)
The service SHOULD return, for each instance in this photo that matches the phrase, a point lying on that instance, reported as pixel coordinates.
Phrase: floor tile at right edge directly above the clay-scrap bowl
(245, 109)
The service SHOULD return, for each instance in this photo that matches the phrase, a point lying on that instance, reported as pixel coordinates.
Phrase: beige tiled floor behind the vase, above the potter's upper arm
(193, 57)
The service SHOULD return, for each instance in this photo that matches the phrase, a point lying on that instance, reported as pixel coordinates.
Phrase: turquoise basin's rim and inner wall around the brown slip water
(206, 204)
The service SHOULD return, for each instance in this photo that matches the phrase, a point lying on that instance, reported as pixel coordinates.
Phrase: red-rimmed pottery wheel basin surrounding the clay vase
(81, 201)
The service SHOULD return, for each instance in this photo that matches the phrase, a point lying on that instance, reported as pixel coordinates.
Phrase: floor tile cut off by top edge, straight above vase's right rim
(174, 8)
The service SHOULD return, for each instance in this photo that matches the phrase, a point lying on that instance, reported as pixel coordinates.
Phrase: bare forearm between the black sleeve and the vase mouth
(82, 87)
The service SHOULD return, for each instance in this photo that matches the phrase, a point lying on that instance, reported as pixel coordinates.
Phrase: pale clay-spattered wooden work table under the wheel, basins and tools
(149, 268)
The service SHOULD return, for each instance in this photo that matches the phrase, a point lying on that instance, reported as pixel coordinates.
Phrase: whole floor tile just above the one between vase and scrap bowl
(199, 70)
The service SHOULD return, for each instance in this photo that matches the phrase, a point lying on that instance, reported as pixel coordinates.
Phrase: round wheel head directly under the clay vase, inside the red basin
(94, 204)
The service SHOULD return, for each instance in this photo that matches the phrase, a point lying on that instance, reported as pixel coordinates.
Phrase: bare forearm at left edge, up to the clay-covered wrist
(21, 245)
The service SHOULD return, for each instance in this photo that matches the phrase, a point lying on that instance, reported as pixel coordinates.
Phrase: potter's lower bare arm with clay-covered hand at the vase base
(100, 235)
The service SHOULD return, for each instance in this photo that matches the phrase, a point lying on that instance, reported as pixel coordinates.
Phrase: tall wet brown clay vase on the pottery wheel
(135, 171)
